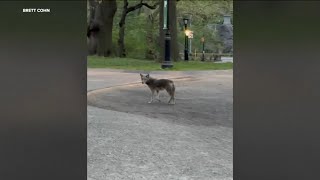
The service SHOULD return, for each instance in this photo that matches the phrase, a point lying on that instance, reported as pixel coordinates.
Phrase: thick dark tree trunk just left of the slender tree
(104, 14)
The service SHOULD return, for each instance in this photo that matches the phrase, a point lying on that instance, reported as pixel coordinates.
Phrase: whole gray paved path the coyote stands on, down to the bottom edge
(130, 139)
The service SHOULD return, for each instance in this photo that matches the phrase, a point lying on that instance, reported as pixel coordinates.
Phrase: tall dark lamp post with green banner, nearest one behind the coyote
(167, 63)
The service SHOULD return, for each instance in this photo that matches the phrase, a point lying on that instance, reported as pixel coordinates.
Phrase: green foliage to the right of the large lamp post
(204, 16)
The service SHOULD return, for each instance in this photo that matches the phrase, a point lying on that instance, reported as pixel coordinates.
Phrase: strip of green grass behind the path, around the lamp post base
(148, 65)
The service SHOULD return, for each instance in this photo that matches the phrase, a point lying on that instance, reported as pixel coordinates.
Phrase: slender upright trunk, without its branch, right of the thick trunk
(122, 50)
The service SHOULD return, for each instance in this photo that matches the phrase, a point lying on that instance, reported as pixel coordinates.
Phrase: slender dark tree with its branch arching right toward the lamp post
(125, 11)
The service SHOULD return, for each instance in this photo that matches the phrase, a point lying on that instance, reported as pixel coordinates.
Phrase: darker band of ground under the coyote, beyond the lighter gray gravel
(202, 100)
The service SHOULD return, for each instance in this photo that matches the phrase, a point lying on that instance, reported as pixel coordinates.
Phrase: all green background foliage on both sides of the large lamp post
(202, 13)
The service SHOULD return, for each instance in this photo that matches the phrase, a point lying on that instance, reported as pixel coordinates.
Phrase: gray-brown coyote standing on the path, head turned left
(157, 85)
